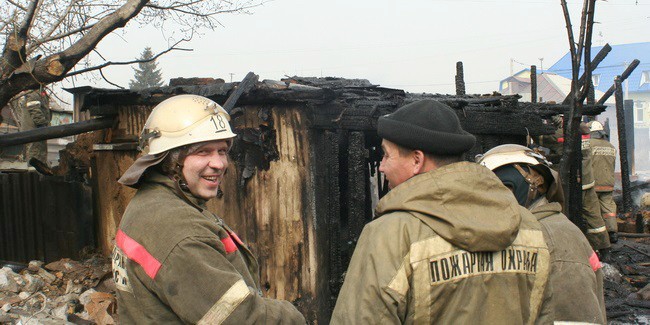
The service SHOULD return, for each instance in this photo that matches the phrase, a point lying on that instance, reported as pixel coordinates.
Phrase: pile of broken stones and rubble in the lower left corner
(60, 292)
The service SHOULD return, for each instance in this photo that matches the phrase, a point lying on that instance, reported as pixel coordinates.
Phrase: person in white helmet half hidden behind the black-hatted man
(576, 277)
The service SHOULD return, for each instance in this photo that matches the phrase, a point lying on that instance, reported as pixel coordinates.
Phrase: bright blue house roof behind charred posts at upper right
(614, 64)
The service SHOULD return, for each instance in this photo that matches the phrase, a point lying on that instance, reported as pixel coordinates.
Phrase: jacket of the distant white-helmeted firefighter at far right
(604, 158)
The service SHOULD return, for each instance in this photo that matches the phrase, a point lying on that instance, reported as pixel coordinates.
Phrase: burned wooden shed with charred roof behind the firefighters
(303, 178)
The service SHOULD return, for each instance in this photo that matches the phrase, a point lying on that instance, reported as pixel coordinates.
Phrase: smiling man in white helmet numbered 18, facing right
(174, 261)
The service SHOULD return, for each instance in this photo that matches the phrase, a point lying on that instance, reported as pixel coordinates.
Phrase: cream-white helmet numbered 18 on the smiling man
(182, 120)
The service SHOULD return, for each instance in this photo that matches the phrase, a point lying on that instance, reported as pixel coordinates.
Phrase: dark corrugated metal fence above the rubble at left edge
(44, 218)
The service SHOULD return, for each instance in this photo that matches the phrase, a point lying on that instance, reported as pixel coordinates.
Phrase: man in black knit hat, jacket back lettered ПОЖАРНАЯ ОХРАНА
(450, 243)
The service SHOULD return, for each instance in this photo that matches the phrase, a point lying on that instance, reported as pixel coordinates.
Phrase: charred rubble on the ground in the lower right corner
(627, 292)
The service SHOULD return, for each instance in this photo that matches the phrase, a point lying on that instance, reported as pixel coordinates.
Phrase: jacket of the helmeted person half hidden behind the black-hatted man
(576, 275)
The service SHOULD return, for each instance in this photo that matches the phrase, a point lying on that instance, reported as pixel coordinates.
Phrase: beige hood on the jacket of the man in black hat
(464, 203)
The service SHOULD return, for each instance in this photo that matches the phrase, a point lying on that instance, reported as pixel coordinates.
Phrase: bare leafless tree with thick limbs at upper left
(66, 33)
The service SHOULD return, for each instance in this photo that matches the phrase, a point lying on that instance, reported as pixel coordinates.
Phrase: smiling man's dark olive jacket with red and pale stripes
(175, 264)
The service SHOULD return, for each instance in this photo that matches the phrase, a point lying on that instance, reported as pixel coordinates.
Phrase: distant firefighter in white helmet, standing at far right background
(603, 159)
